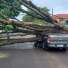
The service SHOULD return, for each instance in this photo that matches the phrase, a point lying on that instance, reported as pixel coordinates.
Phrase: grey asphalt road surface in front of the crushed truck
(32, 58)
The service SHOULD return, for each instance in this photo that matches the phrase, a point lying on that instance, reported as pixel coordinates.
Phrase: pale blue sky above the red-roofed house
(59, 6)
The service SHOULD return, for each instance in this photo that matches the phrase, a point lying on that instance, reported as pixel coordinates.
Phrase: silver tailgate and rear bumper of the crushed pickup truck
(58, 40)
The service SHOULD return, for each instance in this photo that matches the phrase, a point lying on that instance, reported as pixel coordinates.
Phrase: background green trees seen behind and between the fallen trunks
(28, 18)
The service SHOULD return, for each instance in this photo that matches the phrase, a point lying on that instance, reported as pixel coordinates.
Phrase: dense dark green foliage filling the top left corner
(9, 8)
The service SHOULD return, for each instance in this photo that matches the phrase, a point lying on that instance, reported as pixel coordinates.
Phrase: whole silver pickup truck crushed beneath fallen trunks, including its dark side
(53, 40)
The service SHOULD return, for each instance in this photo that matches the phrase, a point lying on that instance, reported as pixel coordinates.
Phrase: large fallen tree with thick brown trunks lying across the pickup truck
(32, 28)
